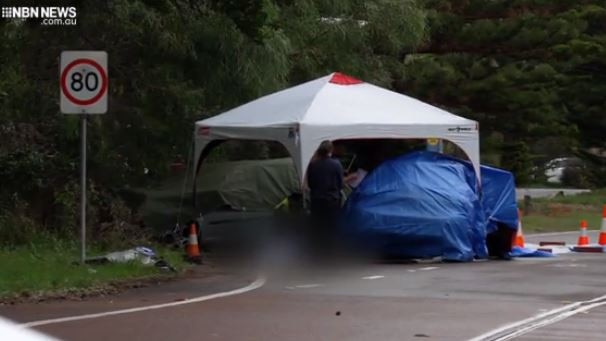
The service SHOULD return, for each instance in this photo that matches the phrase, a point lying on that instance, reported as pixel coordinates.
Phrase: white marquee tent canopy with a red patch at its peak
(335, 107)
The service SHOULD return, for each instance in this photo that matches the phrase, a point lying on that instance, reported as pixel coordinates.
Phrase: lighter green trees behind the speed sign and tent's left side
(171, 62)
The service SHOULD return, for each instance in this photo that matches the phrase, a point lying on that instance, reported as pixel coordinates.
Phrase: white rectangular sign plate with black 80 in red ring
(84, 82)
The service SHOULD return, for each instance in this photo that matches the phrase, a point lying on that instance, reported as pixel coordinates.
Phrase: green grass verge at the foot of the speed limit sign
(46, 267)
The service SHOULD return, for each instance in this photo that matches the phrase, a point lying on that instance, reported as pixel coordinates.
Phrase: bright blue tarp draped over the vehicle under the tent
(425, 204)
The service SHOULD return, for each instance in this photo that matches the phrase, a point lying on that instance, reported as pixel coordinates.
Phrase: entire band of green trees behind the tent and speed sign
(531, 71)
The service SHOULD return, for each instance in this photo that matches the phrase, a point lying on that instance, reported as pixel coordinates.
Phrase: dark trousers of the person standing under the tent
(324, 219)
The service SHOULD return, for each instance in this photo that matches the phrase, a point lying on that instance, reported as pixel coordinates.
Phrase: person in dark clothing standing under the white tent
(325, 182)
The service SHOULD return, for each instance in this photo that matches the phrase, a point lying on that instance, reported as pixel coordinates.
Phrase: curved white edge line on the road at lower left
(259, 282)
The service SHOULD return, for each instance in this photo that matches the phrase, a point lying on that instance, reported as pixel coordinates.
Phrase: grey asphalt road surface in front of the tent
(348, 302)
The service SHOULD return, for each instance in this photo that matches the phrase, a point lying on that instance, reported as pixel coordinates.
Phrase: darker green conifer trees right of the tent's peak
(533, 72)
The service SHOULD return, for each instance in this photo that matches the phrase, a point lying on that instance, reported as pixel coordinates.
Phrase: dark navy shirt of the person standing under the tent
(325, 179)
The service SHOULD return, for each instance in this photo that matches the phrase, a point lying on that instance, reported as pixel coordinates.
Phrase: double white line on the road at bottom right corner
(543, 319)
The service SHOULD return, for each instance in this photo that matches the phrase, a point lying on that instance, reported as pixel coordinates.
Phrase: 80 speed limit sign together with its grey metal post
(84, 85)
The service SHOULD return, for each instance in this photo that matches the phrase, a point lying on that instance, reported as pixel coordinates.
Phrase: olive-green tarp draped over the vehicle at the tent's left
(250, 184)
